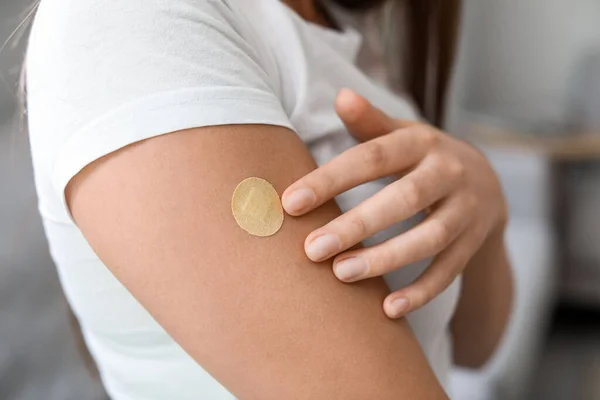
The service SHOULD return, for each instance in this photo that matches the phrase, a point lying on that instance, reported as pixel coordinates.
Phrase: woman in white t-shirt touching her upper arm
(145, 115)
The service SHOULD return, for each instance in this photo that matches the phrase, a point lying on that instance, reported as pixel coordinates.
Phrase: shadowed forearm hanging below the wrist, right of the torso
(485, 304)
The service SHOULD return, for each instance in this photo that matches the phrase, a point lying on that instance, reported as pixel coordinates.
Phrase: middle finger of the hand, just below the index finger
(398, 201)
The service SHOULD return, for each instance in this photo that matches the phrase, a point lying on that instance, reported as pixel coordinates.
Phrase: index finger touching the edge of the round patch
(384, 156)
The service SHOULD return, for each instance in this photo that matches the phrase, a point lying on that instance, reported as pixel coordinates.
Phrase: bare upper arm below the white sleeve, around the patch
(254, 312)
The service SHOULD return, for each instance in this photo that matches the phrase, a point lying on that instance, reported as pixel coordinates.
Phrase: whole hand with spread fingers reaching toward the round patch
(436, 173)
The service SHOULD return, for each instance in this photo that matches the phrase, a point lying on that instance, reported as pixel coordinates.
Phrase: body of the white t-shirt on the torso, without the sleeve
(137, 358)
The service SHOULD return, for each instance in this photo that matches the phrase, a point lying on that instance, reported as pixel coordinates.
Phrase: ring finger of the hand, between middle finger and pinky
(438, 231)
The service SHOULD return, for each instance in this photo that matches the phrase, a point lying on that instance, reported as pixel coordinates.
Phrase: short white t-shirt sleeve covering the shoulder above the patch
(105, 74)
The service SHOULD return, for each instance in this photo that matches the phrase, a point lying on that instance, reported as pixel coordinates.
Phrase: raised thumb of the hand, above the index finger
(363, 120)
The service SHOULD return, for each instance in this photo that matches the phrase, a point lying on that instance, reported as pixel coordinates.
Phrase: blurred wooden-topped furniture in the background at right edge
(575, 176)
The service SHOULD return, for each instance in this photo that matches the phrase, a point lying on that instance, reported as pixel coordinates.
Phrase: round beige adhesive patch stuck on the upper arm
(256, 207)
